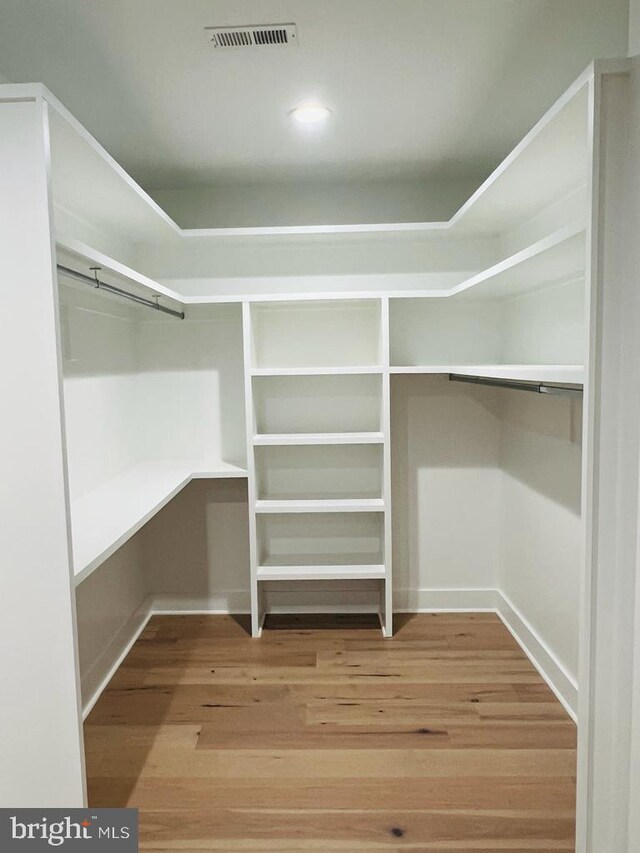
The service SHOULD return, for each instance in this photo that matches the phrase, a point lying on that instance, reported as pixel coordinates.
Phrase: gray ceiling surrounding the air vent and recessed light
(429, 88)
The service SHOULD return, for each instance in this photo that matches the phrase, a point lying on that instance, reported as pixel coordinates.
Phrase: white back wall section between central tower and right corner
(446, 491)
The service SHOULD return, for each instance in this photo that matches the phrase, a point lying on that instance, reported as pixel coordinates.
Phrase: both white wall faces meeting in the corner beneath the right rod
(486, 496)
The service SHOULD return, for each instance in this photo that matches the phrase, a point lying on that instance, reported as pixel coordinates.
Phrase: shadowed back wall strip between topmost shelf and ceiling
(315, 203)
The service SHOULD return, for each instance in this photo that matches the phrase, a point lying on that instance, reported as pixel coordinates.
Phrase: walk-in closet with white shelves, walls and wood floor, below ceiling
(344, 496)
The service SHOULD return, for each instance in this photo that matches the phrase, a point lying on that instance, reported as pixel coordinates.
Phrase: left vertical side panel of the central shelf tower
(257, 611)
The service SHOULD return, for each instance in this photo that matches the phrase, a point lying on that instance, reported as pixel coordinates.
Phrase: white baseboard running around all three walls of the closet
(408, 601)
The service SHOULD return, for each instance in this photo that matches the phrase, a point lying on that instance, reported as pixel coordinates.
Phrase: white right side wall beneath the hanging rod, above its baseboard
(541, 532)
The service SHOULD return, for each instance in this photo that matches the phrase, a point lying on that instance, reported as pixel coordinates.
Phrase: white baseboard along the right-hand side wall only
(541, 656)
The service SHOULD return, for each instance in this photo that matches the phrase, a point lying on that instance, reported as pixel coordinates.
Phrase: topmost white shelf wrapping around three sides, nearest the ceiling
(549, 161)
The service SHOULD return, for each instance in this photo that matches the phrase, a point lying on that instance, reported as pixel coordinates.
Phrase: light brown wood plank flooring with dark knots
(322, 736)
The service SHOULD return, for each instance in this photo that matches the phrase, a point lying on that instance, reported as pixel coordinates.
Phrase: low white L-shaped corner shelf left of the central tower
(105, 518)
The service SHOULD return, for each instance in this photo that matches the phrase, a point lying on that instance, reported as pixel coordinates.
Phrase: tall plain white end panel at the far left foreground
(41, 750)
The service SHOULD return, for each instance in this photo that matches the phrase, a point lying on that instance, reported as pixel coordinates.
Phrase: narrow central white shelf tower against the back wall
(317, 398)
